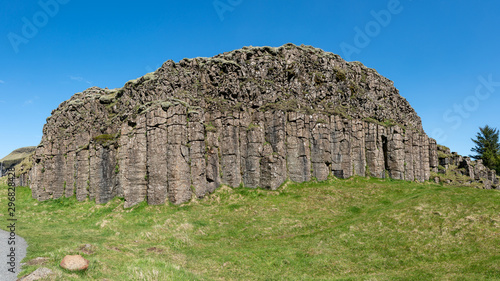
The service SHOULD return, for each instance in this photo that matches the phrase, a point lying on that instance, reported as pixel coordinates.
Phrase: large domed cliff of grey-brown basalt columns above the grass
(254, 117)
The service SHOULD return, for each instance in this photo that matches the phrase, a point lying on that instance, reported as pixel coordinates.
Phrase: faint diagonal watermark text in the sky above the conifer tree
(455, 116)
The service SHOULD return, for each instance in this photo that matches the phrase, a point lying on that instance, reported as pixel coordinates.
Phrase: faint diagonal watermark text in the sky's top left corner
(31, 26)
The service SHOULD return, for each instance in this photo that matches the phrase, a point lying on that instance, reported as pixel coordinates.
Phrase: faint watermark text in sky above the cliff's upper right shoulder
(372, 29)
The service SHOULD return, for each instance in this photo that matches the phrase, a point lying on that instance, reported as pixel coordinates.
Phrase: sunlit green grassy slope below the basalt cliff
(355, 229)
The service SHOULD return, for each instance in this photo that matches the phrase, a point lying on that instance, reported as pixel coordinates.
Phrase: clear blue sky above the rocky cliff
(434, 51)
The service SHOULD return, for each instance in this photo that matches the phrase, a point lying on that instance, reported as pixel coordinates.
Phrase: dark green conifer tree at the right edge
(487, 147)
